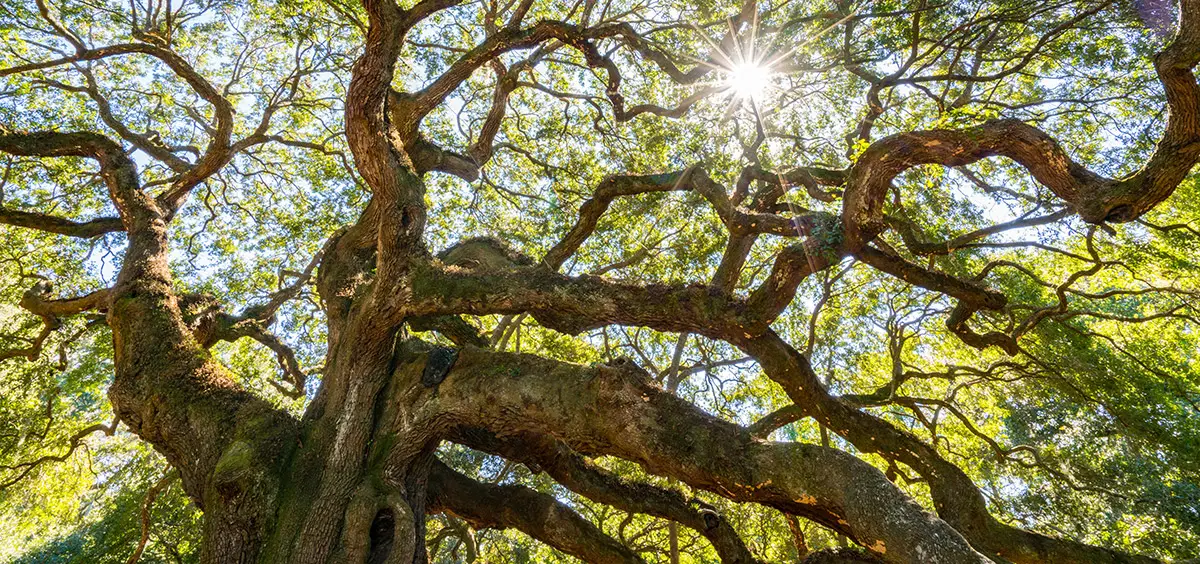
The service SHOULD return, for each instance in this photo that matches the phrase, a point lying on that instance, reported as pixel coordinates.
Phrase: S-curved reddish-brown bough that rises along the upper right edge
(1094, 197)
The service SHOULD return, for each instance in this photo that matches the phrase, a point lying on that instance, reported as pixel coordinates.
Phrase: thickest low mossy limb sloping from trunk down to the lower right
(674, 439)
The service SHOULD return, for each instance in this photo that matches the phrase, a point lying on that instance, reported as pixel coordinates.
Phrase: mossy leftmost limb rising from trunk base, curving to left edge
(167, 388)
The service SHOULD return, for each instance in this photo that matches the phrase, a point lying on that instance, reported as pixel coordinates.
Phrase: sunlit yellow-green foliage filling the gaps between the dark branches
(1108, 397)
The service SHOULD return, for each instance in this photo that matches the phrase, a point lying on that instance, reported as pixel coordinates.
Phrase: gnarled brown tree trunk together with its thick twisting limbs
(353, 481)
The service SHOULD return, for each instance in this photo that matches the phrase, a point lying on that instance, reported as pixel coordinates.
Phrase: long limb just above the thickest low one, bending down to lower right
(573, 305)
